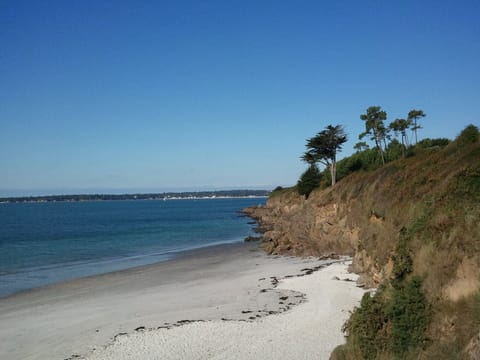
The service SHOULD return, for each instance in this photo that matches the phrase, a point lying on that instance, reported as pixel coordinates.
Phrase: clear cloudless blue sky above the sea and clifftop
(123, 96)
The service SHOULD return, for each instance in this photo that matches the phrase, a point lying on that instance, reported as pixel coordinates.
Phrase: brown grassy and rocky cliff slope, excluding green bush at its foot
(419, 214)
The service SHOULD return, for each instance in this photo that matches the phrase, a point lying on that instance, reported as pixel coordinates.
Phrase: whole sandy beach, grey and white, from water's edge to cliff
(298, 318)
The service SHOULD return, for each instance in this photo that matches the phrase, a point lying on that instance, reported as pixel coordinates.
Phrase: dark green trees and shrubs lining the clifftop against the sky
(323, 148)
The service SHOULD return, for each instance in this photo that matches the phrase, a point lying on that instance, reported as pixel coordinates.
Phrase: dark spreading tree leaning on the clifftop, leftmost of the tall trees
(323, 148)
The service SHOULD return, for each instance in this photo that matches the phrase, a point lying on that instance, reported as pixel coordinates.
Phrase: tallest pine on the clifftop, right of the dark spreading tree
(375, 127)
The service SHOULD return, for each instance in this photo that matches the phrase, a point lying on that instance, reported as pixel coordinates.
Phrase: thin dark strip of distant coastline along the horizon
(221, 194)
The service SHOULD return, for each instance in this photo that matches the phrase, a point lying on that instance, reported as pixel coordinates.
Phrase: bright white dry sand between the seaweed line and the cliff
(310, 330)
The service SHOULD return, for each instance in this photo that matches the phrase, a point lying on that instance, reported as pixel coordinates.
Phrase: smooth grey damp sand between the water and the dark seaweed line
(231, 282)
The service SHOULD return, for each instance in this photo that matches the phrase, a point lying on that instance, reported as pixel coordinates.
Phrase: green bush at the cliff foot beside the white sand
(393, 322)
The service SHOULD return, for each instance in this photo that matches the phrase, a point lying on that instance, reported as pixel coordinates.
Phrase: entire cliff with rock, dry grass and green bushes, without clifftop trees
(413, 227)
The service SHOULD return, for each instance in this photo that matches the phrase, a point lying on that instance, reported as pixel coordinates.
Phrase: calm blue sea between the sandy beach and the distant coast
(45, 243)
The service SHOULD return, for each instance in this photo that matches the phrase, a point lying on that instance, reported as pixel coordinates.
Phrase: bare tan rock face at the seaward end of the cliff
(322, 225)
